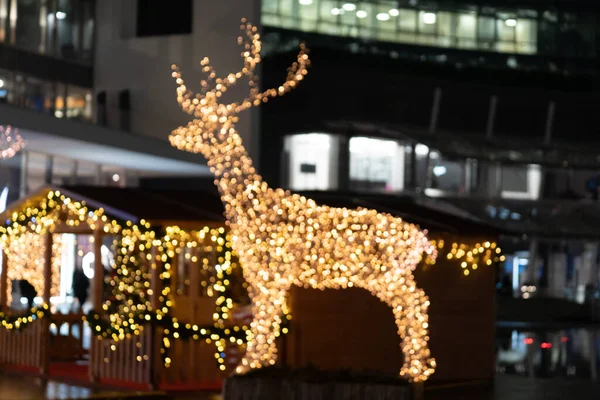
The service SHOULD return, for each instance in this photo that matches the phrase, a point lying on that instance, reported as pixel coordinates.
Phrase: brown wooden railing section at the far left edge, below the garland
(24, 348)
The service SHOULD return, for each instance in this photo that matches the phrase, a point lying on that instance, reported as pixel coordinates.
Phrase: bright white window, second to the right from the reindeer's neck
(376, 164)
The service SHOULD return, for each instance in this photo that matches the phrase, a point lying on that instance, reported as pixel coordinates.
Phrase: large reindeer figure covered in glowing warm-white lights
(284, 239)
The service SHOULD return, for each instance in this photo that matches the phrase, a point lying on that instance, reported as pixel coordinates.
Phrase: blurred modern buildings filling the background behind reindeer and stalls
(486, 109)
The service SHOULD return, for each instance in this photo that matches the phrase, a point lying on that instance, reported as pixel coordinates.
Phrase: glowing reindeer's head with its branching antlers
(215, 120)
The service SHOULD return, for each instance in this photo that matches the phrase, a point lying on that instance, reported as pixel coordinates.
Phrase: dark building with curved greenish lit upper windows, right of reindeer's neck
(487, 107)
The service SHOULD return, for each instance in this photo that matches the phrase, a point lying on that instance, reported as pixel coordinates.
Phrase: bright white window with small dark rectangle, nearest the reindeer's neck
(312, 161)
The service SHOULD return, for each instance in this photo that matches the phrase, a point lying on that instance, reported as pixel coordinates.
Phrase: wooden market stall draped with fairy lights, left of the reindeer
(169, 267)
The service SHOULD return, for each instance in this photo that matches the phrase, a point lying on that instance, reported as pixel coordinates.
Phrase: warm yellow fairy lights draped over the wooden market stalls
(127, 308)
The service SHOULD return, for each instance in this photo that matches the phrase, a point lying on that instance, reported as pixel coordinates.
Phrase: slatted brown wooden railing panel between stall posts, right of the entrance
(129, 360)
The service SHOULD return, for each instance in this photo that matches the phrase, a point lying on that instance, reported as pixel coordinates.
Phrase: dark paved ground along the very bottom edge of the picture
(506, 388)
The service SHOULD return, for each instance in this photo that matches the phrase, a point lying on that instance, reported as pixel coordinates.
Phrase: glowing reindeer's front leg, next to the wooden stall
(269, 301)
